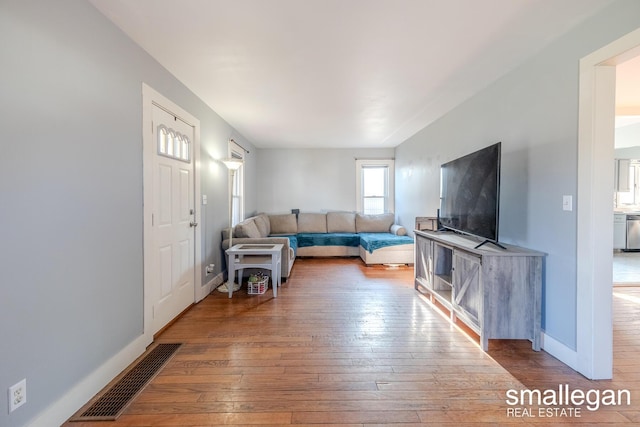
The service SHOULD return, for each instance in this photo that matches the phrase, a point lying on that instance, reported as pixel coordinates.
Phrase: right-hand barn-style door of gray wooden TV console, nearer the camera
(467, 293)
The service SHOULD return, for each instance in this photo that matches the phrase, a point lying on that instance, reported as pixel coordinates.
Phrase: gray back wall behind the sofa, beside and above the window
(311, 180)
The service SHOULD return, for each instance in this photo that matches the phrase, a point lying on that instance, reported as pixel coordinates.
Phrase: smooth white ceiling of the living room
(340, 73)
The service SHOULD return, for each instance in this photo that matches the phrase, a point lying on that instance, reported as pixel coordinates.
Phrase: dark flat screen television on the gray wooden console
(470, 194)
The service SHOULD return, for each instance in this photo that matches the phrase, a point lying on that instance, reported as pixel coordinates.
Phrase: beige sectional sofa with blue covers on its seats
(375, 238)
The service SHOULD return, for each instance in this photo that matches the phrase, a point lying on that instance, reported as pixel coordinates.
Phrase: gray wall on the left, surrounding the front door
(71, 258)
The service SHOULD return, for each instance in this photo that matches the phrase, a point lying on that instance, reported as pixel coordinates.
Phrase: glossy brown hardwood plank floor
(350, 345)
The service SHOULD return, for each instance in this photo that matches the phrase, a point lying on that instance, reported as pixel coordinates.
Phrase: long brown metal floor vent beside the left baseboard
(114, 399)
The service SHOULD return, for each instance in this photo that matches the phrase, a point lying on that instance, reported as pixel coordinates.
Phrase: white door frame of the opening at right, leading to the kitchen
(594, 340)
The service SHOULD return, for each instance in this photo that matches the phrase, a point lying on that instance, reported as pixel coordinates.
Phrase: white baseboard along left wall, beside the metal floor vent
(60, 411)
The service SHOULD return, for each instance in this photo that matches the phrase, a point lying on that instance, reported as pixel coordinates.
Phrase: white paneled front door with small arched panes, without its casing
(173, 218)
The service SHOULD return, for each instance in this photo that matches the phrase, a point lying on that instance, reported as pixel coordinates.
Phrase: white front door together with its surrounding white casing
(172, 248)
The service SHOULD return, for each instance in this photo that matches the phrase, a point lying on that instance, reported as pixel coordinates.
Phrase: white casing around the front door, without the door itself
(151, 97)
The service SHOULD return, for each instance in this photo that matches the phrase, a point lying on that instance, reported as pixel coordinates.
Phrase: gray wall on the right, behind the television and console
(533, 110)
